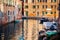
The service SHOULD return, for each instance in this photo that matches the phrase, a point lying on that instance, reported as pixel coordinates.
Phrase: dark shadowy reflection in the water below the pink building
(10, 30)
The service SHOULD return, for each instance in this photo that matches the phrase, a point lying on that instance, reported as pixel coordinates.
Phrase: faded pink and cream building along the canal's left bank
(8, 9)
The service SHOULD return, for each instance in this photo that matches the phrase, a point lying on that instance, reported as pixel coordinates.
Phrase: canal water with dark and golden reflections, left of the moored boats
(27, 29)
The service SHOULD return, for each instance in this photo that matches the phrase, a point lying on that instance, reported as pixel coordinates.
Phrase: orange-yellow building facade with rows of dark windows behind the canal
(41, 8)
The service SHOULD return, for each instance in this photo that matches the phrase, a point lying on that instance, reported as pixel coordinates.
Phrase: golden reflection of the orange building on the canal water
(30, 29)
